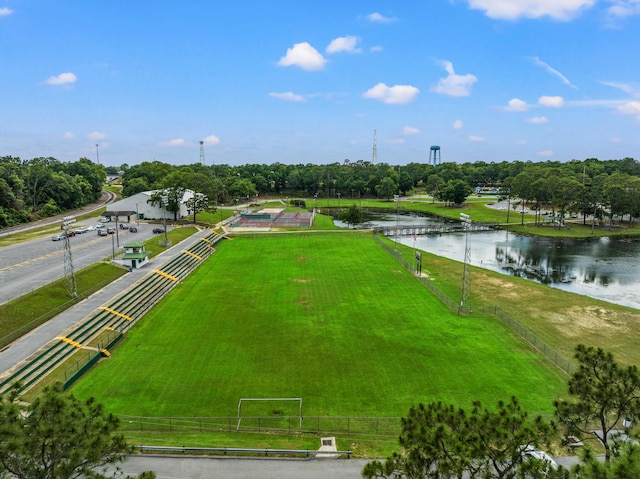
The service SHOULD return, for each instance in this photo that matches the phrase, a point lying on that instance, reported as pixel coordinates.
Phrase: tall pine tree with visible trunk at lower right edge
(602, 395)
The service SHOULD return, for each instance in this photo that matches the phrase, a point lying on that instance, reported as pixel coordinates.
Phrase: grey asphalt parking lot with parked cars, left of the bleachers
(30, 265)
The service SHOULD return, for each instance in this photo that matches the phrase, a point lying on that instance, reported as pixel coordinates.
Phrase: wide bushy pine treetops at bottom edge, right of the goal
(441, 441)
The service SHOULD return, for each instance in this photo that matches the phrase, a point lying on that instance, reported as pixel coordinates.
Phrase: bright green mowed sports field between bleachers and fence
(330, 318)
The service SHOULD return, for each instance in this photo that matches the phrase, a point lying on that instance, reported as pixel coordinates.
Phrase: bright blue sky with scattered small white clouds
(309, 81)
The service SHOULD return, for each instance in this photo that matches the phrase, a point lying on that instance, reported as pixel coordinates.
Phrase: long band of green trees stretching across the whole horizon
(609, 188)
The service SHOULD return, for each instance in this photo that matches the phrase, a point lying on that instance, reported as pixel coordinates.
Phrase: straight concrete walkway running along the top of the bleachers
(23, 348)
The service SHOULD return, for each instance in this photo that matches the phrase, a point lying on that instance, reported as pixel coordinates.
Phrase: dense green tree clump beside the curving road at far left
(43, 187)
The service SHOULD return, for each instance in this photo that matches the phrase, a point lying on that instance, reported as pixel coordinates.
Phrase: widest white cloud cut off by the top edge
(514, 9)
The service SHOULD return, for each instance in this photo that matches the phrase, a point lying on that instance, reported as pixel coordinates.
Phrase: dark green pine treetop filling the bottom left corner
(58, 437)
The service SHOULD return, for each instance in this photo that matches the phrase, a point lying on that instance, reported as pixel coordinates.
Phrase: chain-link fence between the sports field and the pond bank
(551, 354)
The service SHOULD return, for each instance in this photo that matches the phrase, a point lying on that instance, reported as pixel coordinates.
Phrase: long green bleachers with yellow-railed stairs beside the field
(115, 317)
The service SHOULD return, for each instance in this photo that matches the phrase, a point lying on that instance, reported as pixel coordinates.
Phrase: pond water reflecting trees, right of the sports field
(603, 268)
